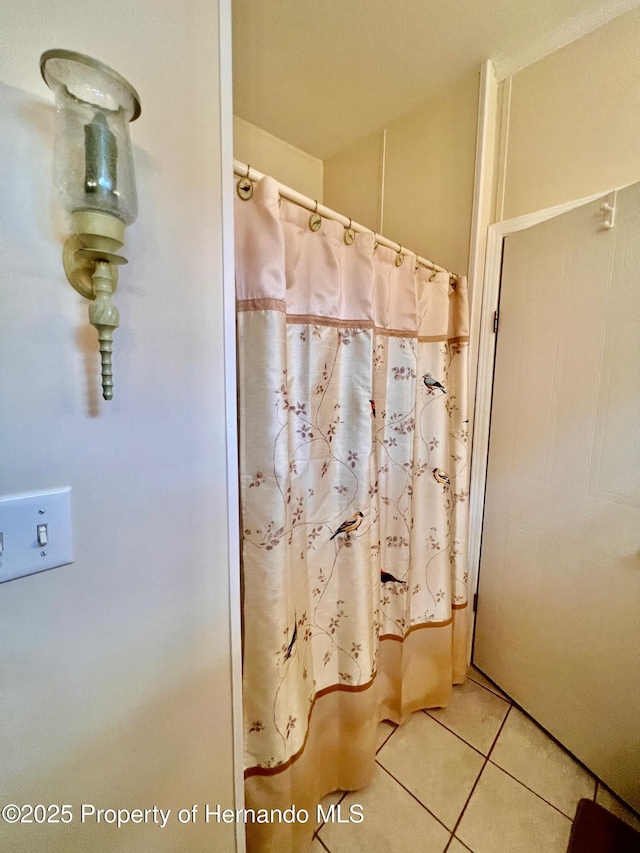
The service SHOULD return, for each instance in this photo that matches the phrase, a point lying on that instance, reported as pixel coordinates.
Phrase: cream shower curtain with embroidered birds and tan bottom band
(354, 487)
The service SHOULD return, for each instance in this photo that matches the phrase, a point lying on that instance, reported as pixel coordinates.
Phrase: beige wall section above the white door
(574, 123)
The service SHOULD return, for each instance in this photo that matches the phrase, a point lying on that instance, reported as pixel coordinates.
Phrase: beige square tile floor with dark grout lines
(477, 776)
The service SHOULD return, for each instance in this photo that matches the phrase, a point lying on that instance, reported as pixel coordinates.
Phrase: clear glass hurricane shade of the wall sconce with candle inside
(93, 160)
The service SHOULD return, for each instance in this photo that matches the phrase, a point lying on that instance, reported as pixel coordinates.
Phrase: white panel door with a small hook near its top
(558, 621)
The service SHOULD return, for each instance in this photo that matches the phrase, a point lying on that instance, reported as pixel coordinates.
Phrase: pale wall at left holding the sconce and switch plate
(116, 685)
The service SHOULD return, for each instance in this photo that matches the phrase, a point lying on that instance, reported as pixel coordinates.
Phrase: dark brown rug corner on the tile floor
(595, 830)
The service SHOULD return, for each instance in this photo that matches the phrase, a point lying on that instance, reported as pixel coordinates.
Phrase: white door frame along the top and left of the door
(484, 374)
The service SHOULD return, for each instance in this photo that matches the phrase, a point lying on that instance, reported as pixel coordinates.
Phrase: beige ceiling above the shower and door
(323, 74)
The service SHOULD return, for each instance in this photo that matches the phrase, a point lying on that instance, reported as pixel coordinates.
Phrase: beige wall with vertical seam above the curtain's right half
(429, 170)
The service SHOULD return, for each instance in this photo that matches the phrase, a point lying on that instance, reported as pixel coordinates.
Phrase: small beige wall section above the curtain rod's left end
(273, 156)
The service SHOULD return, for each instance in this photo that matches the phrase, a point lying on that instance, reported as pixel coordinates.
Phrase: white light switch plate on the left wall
(20, 516)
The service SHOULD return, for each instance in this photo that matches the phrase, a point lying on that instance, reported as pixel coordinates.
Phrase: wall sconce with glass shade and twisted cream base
(95, 180)
